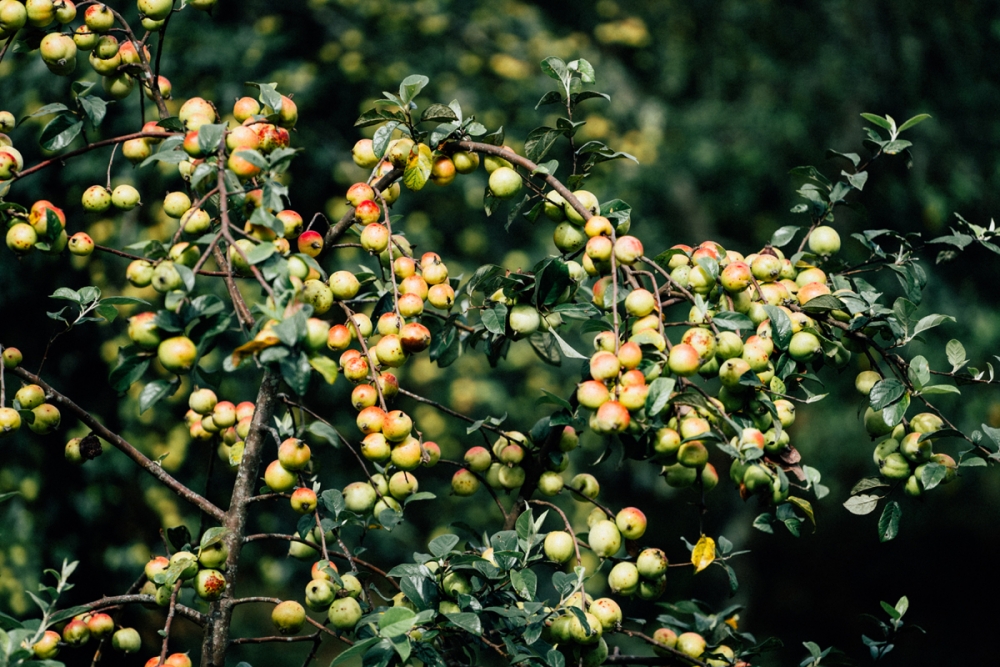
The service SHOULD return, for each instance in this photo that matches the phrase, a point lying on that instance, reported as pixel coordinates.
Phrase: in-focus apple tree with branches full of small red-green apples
(690, 361)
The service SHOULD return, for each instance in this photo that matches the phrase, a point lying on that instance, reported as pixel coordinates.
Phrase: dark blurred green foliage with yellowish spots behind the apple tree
(717, 100)
